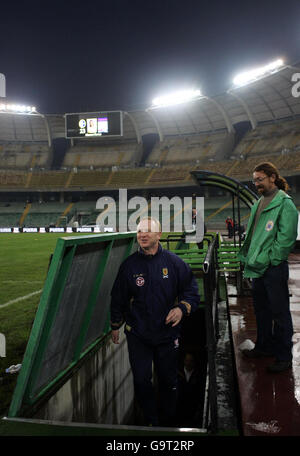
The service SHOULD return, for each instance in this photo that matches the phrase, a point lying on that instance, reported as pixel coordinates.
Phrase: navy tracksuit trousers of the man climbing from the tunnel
(164, 357)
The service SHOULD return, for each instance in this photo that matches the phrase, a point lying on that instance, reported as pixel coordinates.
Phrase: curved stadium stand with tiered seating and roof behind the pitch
(204, 134)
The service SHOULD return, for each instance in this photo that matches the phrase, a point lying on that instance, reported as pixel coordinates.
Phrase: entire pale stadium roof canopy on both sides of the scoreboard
(265, 100)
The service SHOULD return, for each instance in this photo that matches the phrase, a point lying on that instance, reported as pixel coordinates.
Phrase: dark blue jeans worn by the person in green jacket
(272, 310)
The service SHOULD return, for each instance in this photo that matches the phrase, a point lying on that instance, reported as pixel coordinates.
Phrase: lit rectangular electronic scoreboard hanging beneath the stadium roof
(91, 124)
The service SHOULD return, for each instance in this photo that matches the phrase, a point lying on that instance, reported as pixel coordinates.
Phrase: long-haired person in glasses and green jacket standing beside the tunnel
(271, 235)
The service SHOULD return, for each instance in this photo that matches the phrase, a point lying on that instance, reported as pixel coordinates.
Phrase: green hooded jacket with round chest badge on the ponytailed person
(274, 236)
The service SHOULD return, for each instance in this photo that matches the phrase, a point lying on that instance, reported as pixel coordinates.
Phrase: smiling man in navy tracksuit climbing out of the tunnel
(153, 291)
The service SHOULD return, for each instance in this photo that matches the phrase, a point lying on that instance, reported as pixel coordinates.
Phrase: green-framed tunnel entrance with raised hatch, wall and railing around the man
(72, 373)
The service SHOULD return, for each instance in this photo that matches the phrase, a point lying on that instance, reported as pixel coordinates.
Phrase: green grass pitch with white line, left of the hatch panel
(24, 260)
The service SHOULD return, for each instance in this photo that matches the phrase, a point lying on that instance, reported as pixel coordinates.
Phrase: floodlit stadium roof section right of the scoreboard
(265, 100)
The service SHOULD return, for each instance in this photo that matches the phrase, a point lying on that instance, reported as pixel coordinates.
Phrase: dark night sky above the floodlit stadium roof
(70, 56)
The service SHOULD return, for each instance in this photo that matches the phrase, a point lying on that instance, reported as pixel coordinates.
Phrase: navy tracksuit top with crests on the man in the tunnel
(146, 288)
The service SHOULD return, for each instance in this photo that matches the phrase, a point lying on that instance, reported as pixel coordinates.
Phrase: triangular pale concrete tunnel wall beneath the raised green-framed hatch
(101, 391)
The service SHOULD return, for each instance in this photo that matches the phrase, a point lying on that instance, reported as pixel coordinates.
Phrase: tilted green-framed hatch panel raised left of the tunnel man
(73, 314)
